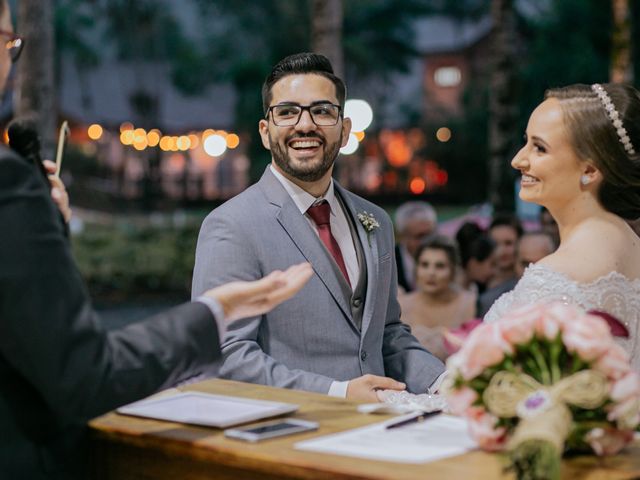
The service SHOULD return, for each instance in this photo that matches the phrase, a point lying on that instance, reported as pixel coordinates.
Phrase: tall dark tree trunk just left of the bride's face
(502, 106)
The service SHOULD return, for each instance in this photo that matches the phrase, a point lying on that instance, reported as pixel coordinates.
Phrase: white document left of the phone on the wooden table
(206, 409)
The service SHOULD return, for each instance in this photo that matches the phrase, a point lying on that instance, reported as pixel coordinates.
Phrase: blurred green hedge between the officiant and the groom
(124, 261)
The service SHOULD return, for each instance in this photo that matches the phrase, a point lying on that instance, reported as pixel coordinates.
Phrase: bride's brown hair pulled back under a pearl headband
(595, 138)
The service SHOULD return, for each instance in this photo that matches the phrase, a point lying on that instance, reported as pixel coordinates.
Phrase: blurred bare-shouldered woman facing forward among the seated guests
(438, 303)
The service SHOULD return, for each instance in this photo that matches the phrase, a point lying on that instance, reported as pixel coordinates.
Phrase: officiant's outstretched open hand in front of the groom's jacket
(247, 299)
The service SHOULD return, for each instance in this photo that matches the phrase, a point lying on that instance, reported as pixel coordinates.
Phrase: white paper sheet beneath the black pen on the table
(435, 438)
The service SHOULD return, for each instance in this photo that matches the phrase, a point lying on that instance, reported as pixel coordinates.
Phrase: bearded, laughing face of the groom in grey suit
(304, 151)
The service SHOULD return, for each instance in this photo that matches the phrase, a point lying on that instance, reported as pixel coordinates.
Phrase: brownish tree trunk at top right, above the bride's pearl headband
(621, 71)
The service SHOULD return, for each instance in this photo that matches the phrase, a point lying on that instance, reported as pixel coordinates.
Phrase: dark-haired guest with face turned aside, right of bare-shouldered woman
(478, 260)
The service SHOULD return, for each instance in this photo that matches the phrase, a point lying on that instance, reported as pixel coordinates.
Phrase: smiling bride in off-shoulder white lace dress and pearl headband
(581, 161)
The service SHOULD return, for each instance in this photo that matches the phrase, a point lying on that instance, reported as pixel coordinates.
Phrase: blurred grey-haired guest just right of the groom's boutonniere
(414, 221)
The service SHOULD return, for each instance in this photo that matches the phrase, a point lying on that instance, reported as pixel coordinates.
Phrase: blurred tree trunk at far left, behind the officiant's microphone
(35, 92)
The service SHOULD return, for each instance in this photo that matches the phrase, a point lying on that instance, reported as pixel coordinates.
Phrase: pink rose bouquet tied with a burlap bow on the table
(542, 379)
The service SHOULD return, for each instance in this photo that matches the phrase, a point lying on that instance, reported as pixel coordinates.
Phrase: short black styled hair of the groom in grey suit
(302, 63)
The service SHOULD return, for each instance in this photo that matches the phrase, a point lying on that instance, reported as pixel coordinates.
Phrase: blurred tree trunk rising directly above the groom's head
(326, 32)
